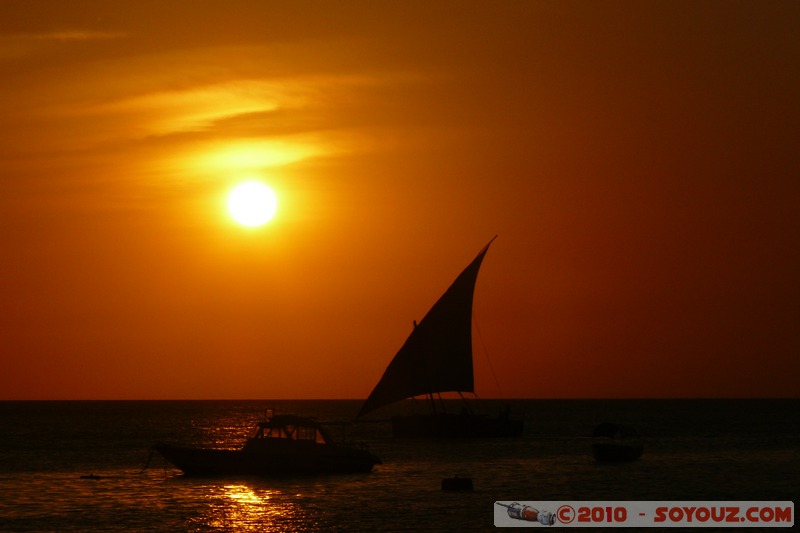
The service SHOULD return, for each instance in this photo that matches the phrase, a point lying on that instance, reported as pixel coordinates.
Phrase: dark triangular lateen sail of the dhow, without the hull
(437, 356)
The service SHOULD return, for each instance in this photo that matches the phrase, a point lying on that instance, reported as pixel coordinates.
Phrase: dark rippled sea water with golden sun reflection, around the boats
(694, 450)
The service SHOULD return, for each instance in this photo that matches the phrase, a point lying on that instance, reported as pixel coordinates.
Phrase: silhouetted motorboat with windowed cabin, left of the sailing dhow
(278, 445)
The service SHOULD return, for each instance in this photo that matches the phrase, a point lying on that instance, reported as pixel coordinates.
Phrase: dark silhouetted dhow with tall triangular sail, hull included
(436, 358)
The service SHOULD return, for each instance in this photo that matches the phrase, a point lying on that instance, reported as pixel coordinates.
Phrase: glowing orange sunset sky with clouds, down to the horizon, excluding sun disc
(638, 161)
